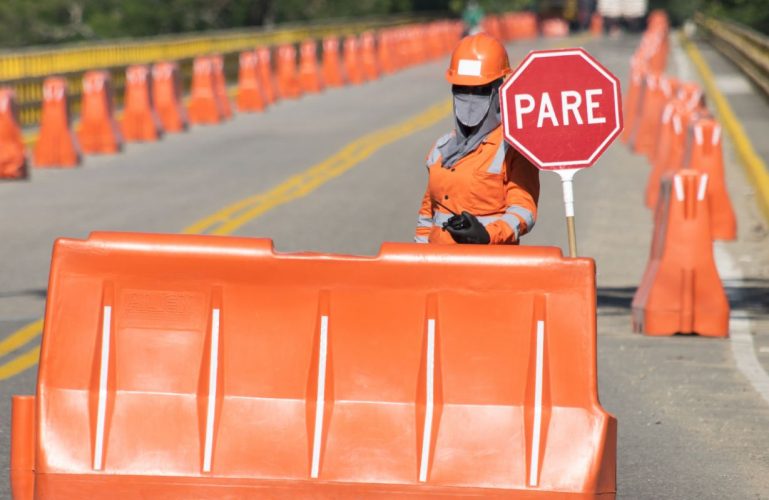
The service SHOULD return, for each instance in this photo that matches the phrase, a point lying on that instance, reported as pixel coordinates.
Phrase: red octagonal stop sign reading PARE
(561, 109)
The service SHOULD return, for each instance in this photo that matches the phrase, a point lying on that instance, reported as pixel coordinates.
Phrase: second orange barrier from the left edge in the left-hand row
(56, 144)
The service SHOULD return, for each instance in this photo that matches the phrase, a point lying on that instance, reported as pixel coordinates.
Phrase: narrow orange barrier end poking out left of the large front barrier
(22, 447)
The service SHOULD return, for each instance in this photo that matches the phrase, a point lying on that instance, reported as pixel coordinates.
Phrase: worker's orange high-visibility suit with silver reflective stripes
(494, 182)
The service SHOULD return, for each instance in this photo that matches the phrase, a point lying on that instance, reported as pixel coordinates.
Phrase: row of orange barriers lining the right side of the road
(668, 122)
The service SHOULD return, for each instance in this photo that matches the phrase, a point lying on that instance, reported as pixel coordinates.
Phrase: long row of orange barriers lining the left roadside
(153, 102)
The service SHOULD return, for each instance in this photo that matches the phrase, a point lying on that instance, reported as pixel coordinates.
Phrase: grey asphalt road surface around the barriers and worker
(690, 423)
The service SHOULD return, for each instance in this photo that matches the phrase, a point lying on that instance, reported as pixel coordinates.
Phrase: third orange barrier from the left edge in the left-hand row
(99, 132)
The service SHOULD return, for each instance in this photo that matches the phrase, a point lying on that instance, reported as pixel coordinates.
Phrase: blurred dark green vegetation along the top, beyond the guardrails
(35, 22)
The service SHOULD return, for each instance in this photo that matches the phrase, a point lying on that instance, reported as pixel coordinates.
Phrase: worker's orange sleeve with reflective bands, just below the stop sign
(522, 194)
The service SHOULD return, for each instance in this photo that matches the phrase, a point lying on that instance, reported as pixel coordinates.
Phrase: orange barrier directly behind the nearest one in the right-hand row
(705, 155)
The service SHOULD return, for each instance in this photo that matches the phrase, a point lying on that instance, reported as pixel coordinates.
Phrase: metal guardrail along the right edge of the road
(745, 47)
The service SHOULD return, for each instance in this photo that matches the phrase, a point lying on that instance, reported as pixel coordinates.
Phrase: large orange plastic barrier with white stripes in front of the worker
(197, 366)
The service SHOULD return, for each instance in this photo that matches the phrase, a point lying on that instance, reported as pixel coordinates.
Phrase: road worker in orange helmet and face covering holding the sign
(479, 189)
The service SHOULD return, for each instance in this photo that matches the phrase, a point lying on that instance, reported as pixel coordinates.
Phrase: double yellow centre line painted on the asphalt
(230, 218)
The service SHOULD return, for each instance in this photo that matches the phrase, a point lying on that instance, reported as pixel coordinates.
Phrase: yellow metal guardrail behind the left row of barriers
(24, 71)
